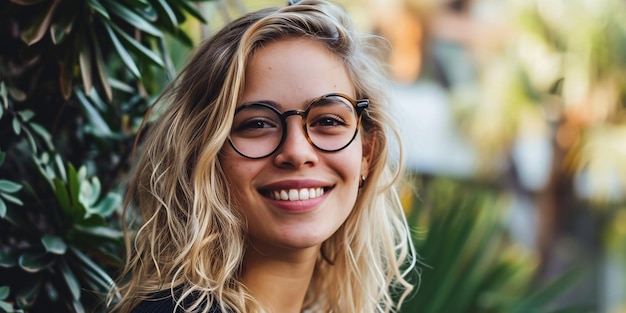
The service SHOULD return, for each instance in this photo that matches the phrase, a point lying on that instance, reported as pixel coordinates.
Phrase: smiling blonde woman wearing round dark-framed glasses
(265, 184)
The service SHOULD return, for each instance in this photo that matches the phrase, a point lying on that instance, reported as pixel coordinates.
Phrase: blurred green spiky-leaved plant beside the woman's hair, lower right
(469, 262)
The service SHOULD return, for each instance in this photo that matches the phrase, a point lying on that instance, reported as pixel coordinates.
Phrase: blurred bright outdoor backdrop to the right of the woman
(517, 109)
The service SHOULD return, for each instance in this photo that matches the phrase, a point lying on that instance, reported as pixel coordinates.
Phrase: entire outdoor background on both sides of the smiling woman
(512, 114)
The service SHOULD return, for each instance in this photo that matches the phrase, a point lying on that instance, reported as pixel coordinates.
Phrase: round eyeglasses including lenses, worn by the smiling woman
(330, 123)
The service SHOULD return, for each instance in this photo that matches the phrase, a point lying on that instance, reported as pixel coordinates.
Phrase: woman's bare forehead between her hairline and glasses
(294, 71)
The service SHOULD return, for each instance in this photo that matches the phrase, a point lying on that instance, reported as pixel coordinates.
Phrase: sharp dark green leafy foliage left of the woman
(76, 78)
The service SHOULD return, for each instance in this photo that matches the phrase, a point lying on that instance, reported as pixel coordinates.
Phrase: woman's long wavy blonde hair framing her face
(192, 242)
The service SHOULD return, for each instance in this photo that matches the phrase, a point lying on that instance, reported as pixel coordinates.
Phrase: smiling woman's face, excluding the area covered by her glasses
(289, 73)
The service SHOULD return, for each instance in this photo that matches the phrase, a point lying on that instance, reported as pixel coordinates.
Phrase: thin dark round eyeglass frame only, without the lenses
(359, 106)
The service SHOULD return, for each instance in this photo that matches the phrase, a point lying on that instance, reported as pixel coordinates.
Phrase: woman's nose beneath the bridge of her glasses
(296, 150)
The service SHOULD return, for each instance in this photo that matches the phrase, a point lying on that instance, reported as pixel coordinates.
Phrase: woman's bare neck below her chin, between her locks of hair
(279, 278)
